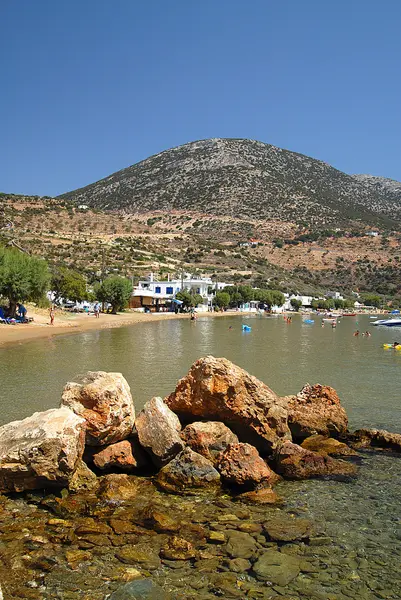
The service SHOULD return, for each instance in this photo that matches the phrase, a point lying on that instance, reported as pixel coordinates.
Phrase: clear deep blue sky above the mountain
(89, 87)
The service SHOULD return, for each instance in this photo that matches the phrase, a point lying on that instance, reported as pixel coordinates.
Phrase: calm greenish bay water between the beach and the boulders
(153, 356)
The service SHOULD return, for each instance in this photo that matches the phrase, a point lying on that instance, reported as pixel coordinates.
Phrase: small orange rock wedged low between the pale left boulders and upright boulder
(124, 455)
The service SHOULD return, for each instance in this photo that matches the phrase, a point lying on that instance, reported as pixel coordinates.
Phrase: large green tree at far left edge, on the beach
(22, 277)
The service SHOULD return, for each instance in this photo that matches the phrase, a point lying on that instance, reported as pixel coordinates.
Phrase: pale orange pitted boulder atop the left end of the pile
(104, 400)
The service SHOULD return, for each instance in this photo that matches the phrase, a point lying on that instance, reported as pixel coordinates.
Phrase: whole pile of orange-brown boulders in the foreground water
(237, 432)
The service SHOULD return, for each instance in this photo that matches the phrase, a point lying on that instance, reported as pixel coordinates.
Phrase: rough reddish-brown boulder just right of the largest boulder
(316, 409)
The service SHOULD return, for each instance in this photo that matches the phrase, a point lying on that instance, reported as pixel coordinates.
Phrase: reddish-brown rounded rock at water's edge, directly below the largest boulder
(240, 464)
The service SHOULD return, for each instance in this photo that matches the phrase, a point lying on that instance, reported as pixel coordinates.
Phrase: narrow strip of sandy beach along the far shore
(69, 323)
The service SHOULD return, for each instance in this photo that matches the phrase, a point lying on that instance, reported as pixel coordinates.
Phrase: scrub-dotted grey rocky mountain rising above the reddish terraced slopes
(245, 179)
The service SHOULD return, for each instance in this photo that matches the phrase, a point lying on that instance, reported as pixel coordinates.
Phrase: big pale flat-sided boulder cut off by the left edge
(41, 451)
